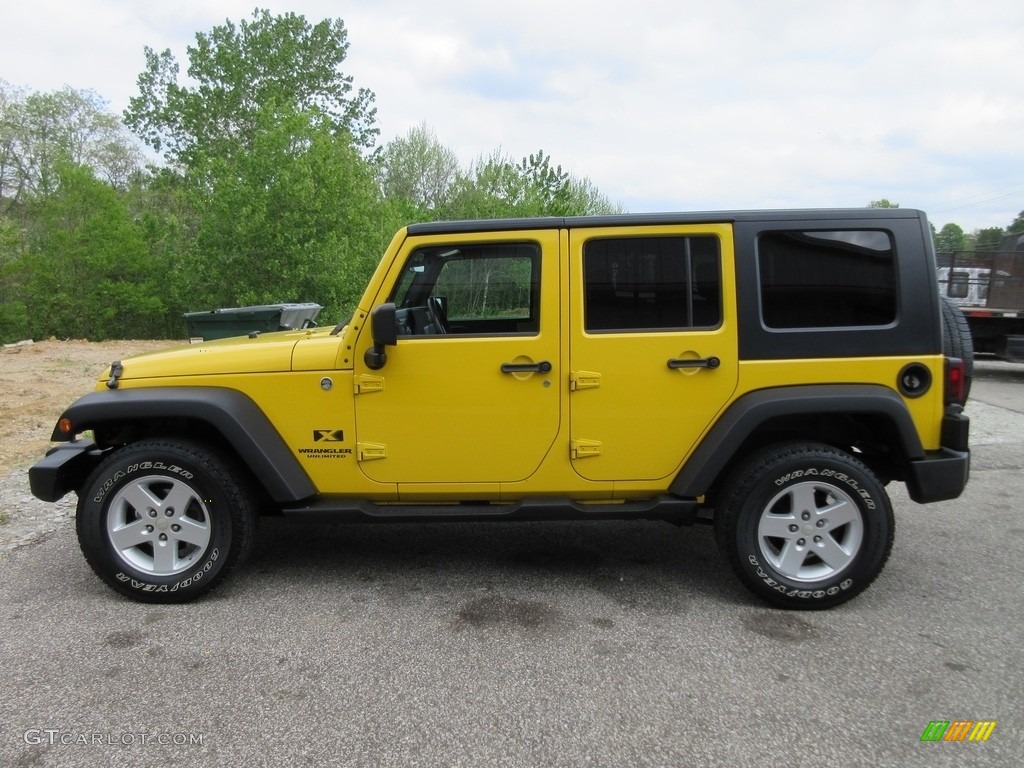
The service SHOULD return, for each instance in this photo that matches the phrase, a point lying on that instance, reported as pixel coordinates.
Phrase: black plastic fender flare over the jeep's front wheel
(228, 412)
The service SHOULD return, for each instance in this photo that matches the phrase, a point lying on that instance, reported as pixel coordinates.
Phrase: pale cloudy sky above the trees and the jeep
(671, 106)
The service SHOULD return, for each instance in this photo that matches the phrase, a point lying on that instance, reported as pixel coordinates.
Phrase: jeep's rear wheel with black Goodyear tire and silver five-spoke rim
(804, 526)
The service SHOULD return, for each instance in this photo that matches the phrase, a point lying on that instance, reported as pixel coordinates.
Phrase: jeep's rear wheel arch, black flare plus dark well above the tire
(778, 414)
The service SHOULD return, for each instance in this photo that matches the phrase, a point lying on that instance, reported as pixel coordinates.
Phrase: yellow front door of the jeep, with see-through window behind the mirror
(470, 394)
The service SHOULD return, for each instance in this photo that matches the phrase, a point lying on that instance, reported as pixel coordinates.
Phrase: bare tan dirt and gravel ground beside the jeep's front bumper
(37, 382)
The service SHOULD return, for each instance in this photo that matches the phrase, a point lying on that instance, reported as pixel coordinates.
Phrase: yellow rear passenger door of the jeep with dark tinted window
(653, 349)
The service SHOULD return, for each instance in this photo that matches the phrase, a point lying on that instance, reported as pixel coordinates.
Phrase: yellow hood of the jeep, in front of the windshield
(270, 353)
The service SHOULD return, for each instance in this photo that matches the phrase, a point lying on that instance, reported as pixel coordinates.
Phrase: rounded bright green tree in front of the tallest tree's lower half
(297, 219)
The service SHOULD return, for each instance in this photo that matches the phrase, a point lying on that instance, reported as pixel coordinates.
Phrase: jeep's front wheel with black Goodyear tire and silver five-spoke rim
(164, 521)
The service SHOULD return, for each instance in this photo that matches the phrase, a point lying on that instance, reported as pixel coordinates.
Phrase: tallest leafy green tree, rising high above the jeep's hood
(268, 148)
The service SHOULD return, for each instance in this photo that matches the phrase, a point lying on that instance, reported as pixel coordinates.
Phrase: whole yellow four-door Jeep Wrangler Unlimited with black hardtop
(765, 372)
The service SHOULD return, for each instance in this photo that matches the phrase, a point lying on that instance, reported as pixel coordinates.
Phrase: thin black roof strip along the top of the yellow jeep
(642, 220)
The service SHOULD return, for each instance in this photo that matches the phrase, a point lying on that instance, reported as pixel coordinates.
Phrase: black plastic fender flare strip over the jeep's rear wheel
(745, 416)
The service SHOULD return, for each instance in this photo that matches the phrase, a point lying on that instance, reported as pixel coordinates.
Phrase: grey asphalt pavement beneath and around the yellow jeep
(535, 645)
